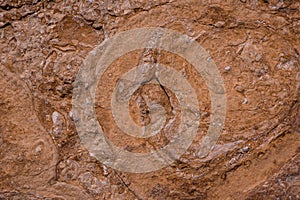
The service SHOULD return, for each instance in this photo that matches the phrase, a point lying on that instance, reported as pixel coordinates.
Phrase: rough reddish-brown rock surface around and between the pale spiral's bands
(256, 46)
